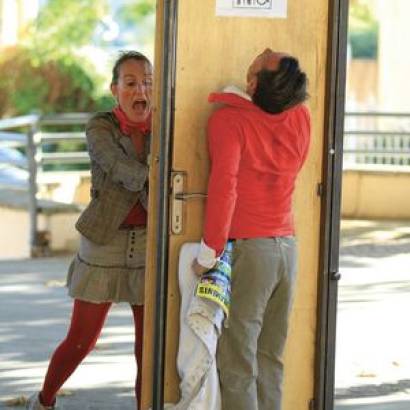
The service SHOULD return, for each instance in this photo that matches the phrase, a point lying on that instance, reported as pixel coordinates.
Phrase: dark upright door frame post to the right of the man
(330, 190)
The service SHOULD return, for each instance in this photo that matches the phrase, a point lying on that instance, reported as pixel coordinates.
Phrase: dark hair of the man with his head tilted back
(281, 89)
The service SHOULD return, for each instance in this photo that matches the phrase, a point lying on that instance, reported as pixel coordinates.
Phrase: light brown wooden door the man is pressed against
(212, 52)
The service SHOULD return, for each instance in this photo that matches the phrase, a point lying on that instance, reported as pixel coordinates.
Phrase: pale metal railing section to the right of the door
(378, 138)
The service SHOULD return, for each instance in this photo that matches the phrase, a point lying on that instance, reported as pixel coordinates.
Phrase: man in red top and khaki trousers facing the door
(258, 142)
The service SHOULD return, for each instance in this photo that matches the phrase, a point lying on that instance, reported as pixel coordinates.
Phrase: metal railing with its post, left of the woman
(31, 133)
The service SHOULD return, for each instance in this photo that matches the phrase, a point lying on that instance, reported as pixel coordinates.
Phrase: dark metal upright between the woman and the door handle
(165, 137)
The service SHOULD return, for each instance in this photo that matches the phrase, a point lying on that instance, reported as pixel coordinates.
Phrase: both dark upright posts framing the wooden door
(329, 190)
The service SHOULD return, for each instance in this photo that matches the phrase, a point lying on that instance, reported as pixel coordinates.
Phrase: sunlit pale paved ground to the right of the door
(373, 337)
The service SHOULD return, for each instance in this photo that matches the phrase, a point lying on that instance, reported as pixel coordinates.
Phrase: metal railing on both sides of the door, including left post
(369, 138)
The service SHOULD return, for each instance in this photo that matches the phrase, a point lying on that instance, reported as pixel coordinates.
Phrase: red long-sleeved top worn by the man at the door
(255, 158)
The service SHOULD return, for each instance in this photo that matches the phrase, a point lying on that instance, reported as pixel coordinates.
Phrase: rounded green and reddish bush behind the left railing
(30, 84)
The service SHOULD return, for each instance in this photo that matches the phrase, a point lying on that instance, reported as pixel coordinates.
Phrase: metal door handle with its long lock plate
(179, 197)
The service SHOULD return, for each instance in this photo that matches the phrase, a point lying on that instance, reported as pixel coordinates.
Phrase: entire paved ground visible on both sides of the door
(373, 354)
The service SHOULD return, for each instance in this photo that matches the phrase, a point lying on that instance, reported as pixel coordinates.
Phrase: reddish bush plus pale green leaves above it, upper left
(44, 73)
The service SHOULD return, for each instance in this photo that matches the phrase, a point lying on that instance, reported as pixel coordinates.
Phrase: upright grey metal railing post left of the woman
(31, 152)
